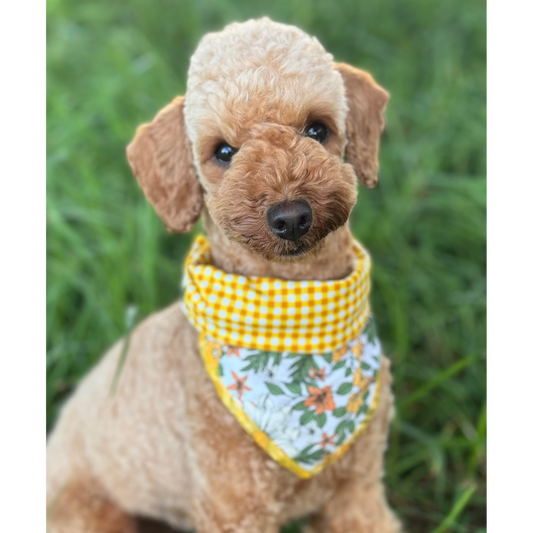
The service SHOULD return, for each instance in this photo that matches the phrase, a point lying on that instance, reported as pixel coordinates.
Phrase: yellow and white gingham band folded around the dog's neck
(272, 314)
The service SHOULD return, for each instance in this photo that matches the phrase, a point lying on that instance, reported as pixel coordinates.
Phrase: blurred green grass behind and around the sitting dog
(109, 66)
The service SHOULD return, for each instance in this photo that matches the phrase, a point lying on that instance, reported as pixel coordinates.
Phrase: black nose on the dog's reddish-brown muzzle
(290, 220)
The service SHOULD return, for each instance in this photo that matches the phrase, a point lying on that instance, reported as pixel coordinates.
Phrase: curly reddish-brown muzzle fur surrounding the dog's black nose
(277, 164)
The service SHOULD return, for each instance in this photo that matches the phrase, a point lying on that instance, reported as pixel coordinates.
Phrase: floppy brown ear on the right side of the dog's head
(365, 122)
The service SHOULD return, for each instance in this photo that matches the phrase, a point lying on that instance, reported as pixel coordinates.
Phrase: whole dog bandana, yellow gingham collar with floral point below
(297, 363)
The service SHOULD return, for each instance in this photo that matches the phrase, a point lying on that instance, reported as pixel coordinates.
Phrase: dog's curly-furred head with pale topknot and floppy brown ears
(260, 139)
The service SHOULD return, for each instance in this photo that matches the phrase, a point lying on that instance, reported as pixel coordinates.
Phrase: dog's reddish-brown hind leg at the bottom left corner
(78, 508)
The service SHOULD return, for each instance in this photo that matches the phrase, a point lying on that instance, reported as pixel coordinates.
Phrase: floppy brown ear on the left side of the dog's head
(161, 159)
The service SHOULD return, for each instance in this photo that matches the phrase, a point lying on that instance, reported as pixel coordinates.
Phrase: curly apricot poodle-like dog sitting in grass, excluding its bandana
(257, 147)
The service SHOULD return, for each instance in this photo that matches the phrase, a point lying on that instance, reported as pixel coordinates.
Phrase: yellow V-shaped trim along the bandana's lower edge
(211, 352)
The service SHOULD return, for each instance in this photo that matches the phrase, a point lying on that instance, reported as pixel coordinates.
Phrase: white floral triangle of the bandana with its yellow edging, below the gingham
(305, 410)
